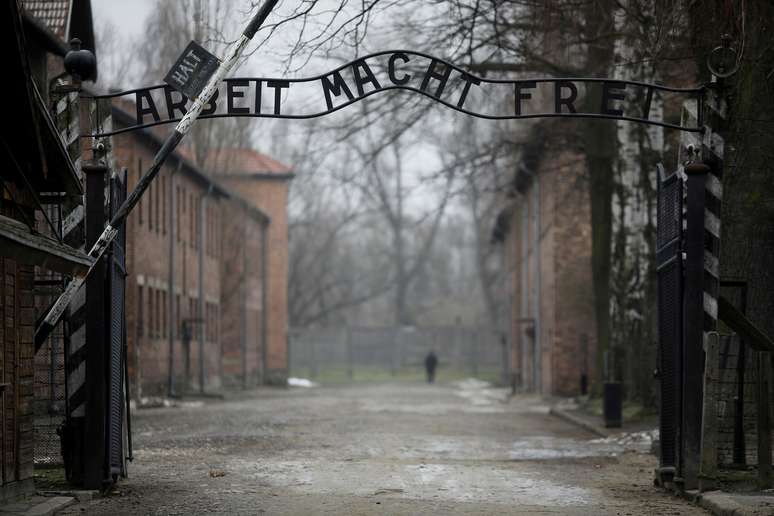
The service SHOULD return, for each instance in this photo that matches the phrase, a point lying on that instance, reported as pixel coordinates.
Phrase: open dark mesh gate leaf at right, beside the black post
(669, 269)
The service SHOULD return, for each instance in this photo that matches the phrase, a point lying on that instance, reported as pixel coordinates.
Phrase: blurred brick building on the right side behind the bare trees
(545, 231)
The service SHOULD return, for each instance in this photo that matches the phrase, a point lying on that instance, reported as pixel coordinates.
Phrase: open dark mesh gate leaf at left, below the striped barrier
(116, 335)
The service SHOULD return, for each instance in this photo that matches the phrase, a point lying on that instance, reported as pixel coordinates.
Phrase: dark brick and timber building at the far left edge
(40, 184)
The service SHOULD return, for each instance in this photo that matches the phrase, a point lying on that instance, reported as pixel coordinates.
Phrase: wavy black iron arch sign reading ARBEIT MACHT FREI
(412, 71)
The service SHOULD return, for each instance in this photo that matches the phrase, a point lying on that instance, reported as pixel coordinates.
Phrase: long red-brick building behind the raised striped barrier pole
(203, 262)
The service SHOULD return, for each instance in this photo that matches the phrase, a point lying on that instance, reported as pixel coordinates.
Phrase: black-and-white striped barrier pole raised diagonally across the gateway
(181, 130)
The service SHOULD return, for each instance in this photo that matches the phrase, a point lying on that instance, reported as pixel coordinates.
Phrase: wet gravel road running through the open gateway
(380, 449)
